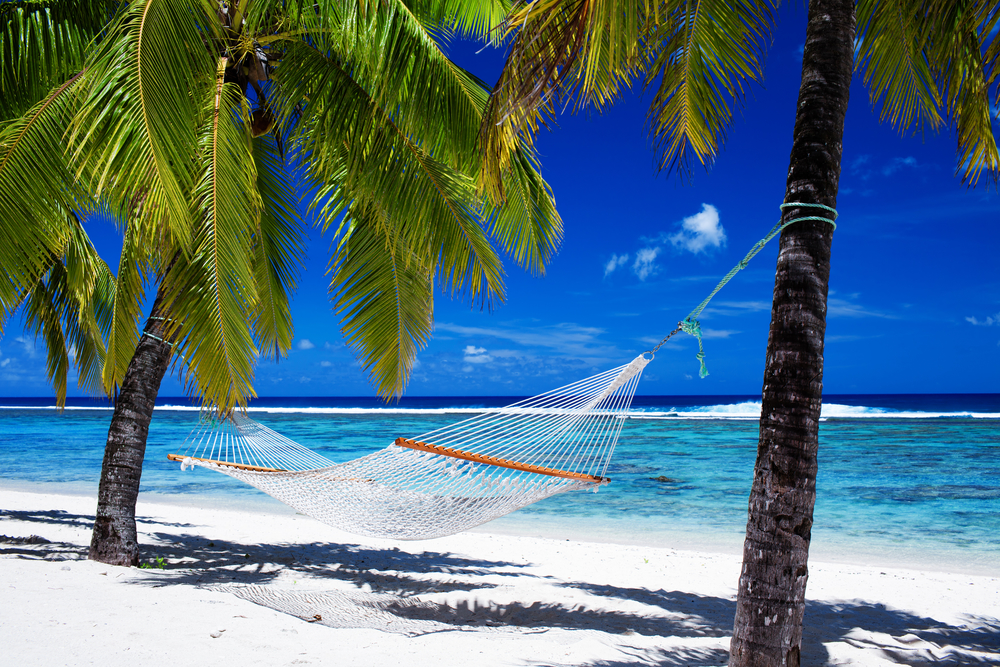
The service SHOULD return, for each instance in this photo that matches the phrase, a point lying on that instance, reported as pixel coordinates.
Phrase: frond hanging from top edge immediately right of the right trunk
(890, 35)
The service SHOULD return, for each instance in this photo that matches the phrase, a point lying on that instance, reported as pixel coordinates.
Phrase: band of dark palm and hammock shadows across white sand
(386, 589)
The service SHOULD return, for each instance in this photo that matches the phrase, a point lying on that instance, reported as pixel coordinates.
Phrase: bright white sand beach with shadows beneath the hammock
(241, 589)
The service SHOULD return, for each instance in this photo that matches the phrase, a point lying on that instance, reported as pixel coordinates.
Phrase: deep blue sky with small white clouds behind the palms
(914, 290)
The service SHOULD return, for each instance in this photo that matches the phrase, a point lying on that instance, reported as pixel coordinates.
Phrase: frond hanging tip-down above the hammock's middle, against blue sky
(384, 296)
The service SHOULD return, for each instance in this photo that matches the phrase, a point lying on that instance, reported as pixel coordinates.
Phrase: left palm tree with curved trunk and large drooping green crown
(193, 122)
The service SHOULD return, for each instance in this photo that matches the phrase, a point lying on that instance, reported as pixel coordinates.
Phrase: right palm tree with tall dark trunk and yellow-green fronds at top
(925, 61)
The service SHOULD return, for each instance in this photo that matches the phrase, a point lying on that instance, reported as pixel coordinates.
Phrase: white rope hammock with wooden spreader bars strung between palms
(442, 482)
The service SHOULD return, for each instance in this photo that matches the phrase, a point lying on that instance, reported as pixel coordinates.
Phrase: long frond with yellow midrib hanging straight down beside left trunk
(213, 287)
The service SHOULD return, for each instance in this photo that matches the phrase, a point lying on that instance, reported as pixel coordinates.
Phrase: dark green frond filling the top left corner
(42, 44)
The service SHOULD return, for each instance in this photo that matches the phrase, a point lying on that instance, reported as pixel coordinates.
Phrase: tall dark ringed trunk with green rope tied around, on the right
(771, 600)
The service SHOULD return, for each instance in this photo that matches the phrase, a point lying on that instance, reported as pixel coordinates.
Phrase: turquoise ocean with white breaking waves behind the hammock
(908, 480)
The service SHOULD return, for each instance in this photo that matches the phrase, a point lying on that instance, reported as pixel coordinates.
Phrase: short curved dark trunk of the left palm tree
(114, 540)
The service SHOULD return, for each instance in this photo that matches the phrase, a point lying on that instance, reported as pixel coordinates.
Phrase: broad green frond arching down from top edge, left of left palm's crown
(136, 131)
